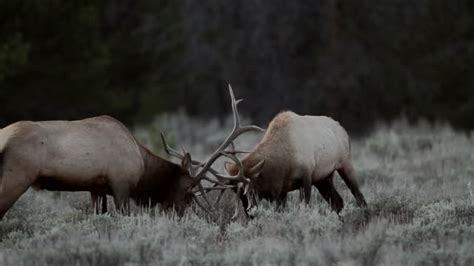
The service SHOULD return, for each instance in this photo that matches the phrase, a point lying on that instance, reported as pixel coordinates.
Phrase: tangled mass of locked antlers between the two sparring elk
(199, 171)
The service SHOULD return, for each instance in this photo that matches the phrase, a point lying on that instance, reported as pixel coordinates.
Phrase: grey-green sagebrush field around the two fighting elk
(418, 181)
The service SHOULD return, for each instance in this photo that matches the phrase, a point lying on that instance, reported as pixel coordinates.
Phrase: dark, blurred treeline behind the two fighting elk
(358, 61)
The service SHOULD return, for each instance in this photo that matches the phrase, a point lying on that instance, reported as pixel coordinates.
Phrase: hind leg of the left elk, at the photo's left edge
(12, 188)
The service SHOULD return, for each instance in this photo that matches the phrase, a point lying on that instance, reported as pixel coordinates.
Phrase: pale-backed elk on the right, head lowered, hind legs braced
(298, 152)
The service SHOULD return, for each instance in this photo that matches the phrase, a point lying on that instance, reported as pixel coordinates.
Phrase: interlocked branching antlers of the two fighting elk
(199, 169)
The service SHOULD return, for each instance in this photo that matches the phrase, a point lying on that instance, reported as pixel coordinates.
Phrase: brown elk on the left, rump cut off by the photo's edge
(101, 155)
